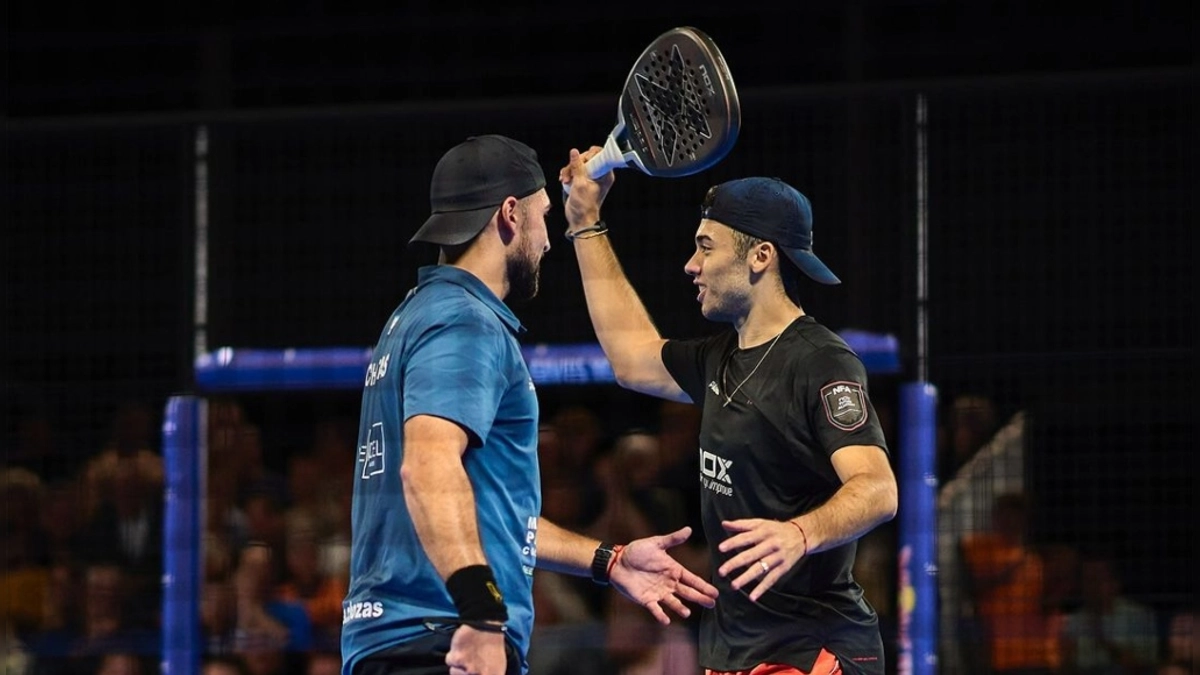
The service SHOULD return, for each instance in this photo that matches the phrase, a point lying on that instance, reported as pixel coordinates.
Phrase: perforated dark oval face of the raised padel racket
(680, 106)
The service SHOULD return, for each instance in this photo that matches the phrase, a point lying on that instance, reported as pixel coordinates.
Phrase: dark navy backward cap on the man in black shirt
(772, 211)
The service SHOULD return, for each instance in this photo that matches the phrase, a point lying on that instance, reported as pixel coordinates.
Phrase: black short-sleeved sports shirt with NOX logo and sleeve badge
(765, 453)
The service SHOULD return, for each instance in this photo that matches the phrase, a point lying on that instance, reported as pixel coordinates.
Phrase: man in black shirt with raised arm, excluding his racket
(794, 465)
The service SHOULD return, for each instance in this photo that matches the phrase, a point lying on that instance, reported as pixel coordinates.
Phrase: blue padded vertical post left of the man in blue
(183, 434)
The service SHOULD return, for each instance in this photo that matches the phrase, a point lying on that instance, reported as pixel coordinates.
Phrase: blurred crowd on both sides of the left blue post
(81, 586)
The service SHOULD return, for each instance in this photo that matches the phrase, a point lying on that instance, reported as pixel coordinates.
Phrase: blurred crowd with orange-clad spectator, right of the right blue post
(1017, 604)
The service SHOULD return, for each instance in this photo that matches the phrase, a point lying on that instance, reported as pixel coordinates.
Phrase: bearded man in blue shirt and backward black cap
(447, 495)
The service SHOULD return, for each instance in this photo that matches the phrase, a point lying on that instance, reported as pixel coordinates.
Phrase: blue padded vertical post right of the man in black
(917, 530)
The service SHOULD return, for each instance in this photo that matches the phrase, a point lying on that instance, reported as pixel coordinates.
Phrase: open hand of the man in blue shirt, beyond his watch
(649, 576)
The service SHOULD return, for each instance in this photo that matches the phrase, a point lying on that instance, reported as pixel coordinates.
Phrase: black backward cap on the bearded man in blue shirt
(471, 181)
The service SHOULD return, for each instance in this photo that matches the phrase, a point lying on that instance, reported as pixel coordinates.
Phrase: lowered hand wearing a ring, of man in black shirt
(767, 551)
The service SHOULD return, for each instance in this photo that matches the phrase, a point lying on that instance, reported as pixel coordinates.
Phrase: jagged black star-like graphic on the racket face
(671, 101)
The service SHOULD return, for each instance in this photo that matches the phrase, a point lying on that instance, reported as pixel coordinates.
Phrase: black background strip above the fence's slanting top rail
(89, 59)
